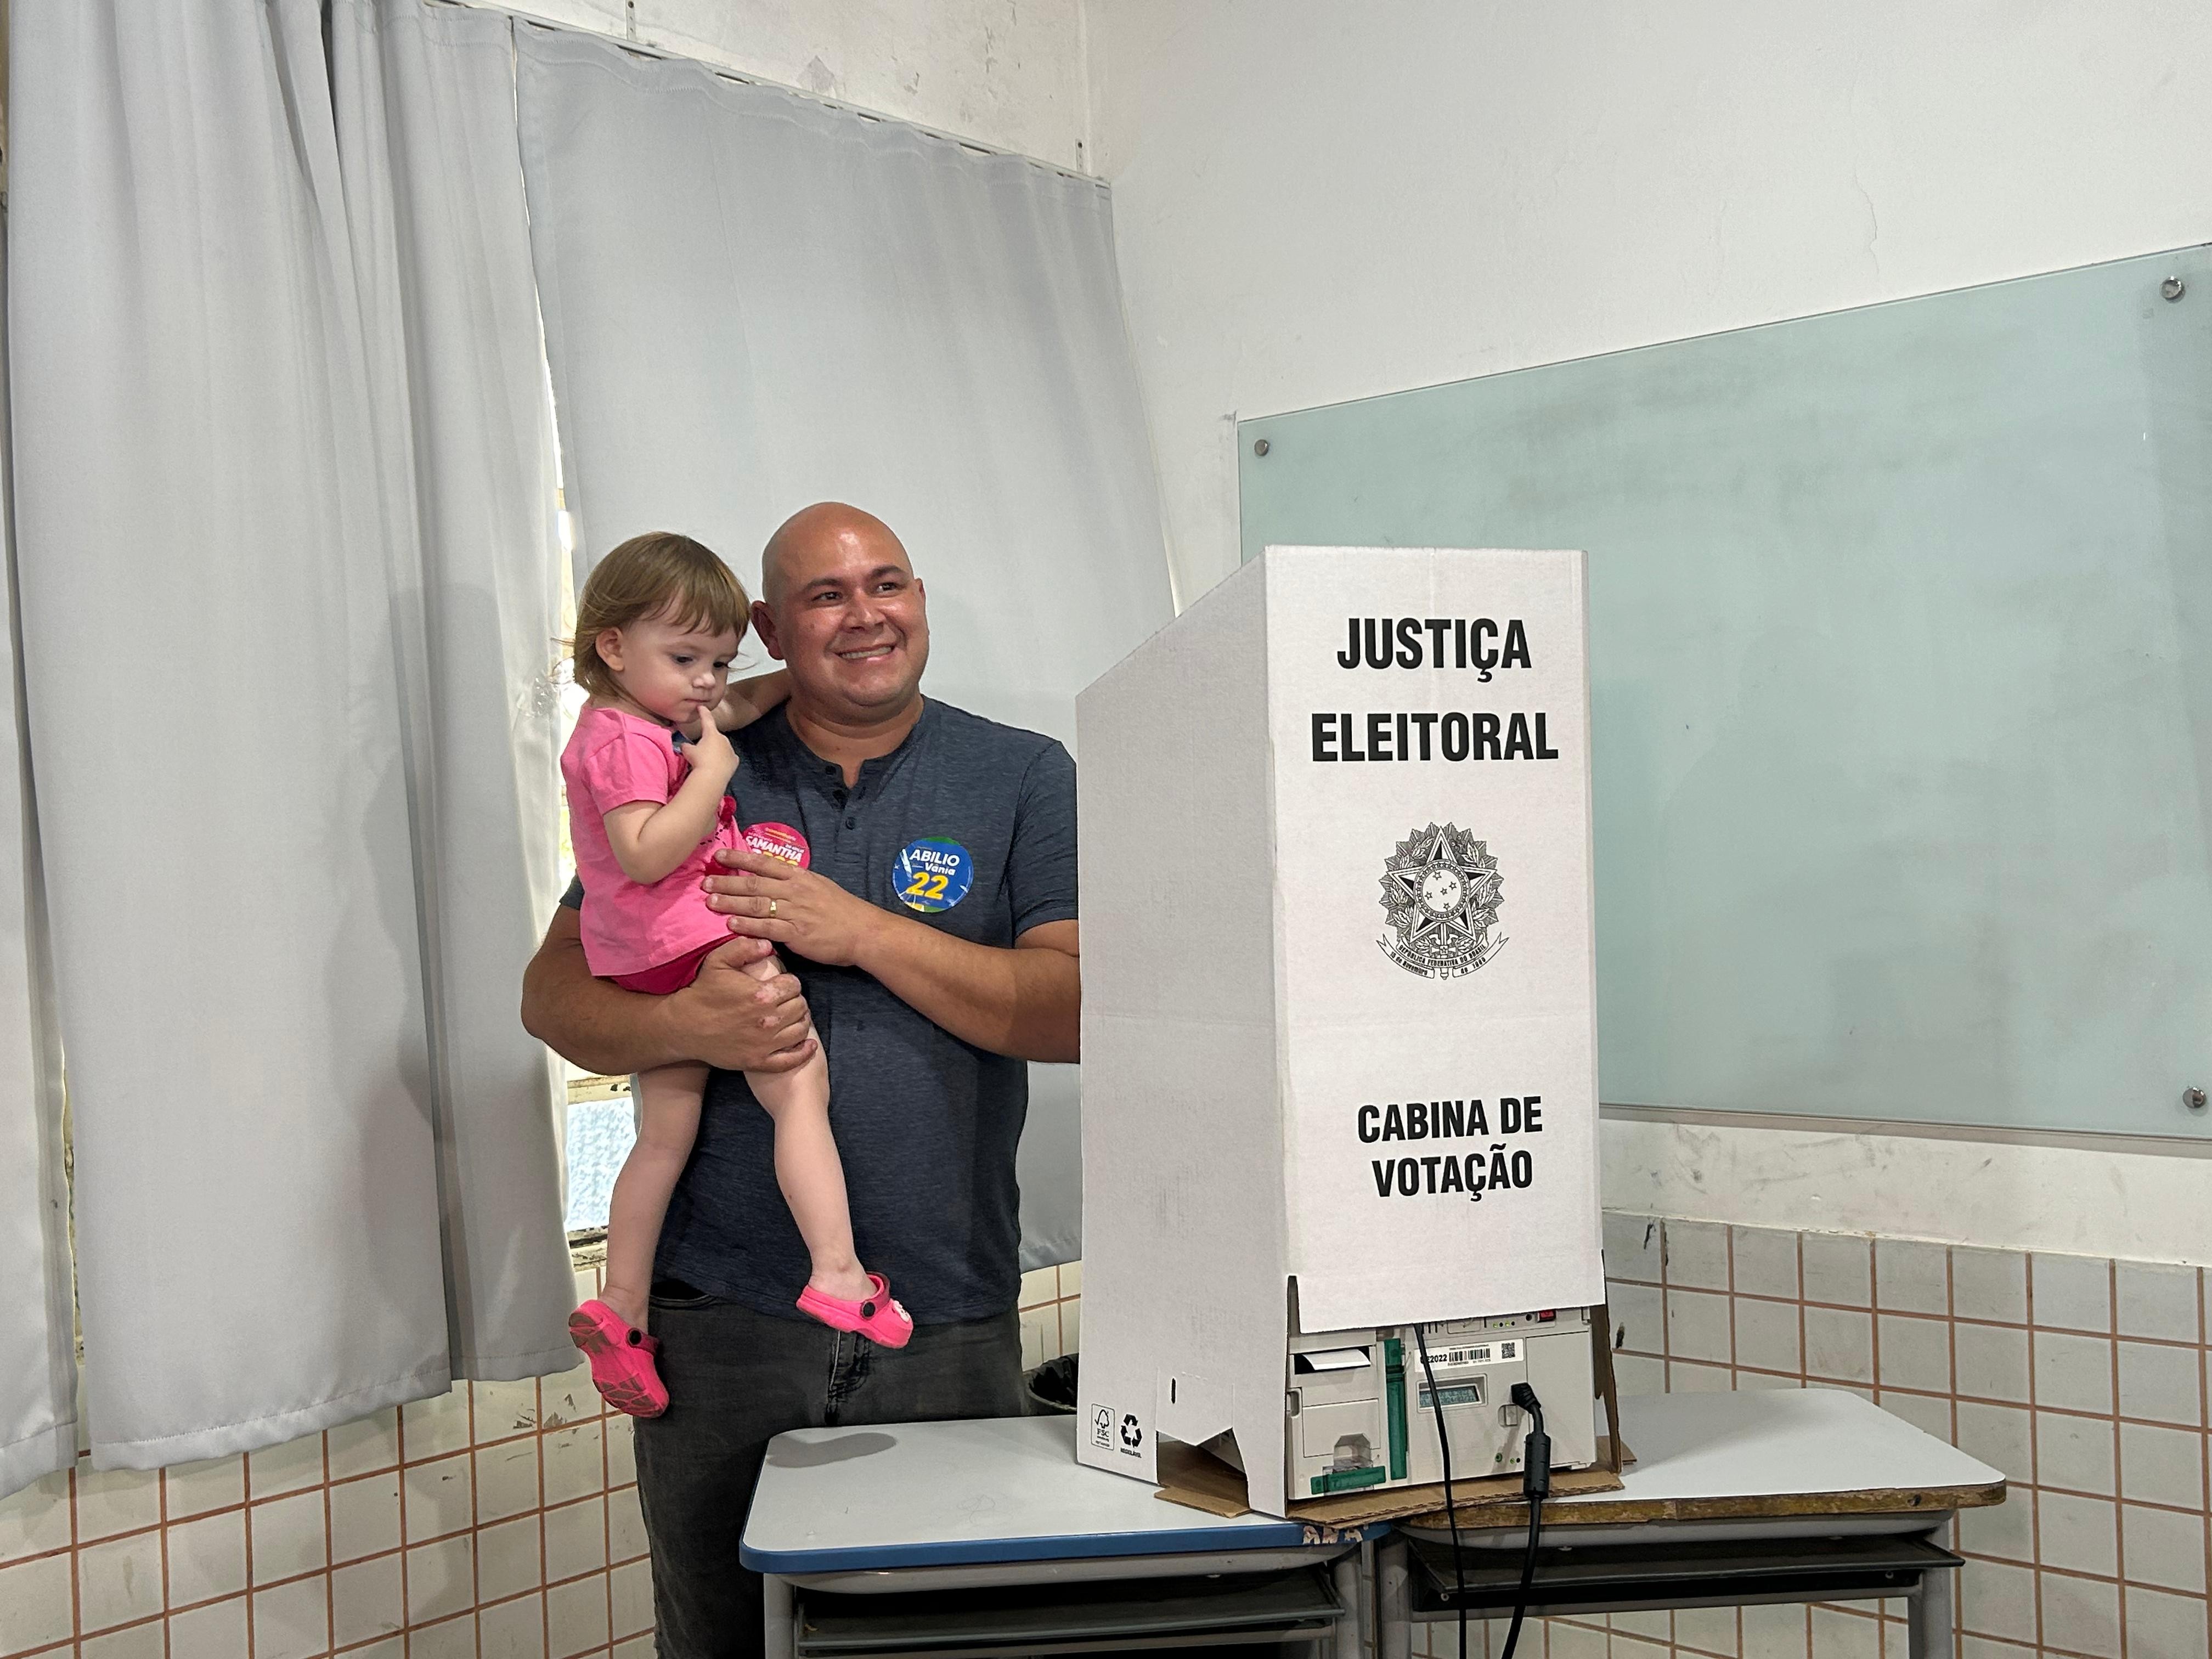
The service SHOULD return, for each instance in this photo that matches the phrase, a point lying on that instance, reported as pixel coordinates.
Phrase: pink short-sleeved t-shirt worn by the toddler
(629, 926)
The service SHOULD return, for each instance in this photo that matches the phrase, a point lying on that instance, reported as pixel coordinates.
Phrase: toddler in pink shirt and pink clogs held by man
(656, 629)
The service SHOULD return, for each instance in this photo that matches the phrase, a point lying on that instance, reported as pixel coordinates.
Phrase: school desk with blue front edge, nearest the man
(988, 1538)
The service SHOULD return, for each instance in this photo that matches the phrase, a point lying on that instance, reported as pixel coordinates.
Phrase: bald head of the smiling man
(846, 614)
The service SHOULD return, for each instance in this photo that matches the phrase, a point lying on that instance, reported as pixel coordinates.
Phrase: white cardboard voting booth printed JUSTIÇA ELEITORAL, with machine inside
(1339, 1056)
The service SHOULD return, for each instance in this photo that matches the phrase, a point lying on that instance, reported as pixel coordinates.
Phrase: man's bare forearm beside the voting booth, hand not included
(1021, 1003)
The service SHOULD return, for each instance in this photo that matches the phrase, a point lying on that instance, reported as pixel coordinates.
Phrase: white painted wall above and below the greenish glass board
(1322, 200)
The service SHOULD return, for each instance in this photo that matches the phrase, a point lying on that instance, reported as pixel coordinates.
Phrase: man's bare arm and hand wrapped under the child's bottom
(724, 1019)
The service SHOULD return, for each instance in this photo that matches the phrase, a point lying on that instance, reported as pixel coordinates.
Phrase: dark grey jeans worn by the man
(735, 1381)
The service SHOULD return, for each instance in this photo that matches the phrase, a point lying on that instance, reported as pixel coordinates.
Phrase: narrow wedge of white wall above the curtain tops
(1001, 72)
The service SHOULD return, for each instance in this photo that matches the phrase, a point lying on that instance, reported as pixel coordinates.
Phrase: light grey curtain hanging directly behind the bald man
(755, 302)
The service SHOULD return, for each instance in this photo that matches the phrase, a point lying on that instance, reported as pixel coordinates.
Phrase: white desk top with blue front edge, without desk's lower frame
(1003, 1490)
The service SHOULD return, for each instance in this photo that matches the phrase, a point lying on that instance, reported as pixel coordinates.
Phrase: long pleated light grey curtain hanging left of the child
(286, 572)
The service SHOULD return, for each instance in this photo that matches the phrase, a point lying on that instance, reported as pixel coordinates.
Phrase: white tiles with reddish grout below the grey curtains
(497, 1521)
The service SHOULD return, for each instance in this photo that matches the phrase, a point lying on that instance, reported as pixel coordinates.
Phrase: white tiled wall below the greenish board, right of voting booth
(2080, 1379)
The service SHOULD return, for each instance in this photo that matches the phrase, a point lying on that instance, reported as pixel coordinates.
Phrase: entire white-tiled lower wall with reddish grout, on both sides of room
(503, 1519)
